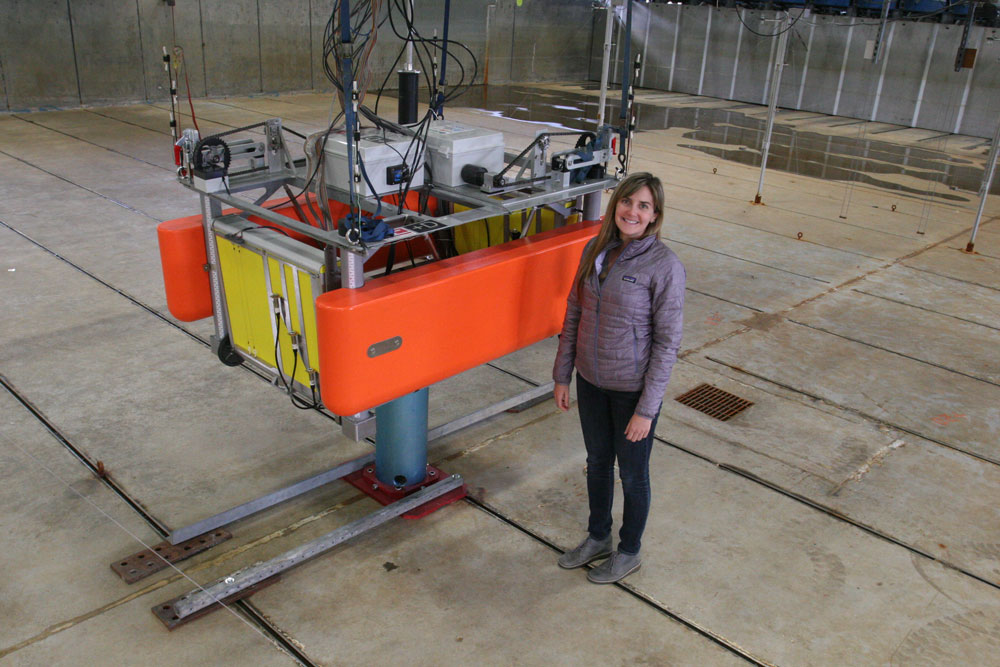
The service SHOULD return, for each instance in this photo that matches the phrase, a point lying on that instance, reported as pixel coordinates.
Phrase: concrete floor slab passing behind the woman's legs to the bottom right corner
(789, 586)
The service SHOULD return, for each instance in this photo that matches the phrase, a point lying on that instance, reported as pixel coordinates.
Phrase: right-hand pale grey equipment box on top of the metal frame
(451, 146)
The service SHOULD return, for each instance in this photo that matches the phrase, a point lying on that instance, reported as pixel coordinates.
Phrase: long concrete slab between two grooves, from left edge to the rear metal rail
(161, 438)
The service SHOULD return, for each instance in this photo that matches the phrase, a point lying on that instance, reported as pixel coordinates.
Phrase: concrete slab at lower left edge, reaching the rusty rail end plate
(61, 530)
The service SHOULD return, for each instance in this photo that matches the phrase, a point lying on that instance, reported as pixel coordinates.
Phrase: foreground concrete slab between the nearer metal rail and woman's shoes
(478, 589)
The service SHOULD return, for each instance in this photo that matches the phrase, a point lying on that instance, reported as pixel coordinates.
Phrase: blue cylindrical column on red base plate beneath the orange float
(401, 440)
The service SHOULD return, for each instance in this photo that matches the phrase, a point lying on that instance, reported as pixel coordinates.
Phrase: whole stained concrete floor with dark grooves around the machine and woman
(849, 517)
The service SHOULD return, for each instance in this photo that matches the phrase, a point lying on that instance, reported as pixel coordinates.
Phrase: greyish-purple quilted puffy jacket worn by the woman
(624, 334)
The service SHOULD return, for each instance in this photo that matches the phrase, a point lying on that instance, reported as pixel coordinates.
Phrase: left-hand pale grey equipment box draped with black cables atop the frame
(382, 154)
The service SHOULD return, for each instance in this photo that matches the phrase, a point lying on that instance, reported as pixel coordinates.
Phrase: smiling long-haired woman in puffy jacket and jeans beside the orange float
(621, 332)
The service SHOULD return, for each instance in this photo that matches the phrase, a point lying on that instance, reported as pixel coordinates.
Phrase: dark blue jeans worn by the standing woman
(604, 414)
